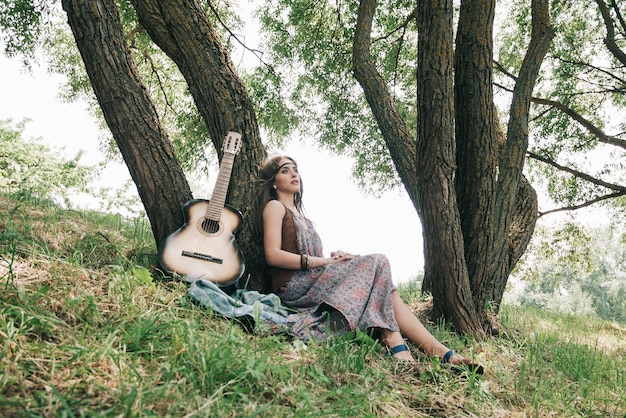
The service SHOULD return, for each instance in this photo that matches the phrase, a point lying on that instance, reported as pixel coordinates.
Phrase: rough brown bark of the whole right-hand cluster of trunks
(476, 221)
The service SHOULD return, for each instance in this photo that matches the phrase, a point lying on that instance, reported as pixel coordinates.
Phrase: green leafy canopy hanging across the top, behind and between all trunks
(303, 86)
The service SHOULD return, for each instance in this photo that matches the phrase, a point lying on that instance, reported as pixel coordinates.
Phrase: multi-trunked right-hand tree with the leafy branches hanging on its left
(463, 174)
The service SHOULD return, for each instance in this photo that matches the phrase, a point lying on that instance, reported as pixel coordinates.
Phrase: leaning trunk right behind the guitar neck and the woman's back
(183, 31)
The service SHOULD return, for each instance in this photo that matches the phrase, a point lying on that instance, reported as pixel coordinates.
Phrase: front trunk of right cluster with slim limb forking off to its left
(428, 169)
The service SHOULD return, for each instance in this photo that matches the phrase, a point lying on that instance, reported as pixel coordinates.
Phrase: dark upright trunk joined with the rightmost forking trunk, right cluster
(498, 208)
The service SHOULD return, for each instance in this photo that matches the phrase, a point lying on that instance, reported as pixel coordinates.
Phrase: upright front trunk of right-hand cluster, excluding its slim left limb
(445, 270)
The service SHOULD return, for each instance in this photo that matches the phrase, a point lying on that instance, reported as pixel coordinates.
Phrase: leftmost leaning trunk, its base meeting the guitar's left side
(129, 112)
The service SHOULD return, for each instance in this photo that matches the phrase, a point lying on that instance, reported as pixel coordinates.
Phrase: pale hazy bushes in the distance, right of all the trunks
(576, 269)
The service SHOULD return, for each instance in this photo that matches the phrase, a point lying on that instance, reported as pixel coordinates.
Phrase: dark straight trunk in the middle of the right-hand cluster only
(478, 137)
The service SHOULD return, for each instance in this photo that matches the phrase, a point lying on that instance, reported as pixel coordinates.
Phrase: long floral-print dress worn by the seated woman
(339, 297)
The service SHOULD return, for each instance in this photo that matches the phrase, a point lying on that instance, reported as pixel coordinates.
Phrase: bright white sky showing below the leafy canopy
(346, 219)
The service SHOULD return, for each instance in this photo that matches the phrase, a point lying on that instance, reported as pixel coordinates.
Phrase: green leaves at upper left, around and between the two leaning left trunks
(32, 26)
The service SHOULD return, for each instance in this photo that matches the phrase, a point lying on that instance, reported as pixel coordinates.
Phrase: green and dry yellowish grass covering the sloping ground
(89, 328)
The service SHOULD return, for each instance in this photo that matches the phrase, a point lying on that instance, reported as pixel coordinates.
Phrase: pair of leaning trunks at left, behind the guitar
(133, 120)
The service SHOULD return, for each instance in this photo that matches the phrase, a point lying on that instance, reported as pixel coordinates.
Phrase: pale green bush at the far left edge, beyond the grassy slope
(29, 167)
